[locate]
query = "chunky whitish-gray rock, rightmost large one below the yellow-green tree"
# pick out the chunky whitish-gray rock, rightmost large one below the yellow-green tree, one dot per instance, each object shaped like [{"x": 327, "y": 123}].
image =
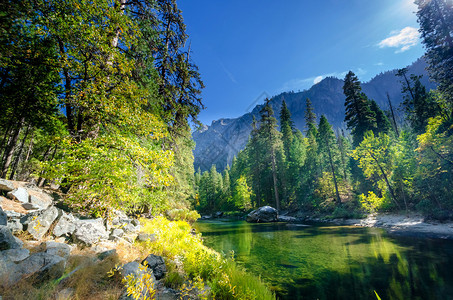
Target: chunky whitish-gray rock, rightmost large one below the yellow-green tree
[{"x": 90, "y": 232}]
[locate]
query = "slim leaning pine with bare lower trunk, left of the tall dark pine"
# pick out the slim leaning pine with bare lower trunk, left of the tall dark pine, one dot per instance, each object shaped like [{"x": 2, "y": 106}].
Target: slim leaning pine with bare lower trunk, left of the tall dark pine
[{"x": 328, "y": 148}]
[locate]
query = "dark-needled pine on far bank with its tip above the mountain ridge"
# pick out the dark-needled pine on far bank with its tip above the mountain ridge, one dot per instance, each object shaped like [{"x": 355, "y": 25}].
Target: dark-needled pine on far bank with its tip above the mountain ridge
[{"x": 359, "y": 117}]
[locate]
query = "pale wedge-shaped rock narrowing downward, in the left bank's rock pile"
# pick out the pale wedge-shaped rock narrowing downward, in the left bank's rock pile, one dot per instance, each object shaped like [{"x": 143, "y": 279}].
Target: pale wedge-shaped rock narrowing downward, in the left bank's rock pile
[{"x": 38, "y": 223}]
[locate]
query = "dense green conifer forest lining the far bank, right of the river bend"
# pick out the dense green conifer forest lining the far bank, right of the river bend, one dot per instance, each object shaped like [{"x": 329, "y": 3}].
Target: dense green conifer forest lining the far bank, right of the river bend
[{"x": 377, "y": 164}]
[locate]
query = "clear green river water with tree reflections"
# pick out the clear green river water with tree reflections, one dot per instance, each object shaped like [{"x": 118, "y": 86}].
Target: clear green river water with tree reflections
[{"x": 336, "y": 262}]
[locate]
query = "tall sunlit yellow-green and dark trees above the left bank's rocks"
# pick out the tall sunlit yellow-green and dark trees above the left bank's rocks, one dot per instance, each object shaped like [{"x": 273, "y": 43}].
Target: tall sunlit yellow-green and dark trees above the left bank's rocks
[{"x": 97, "y": 98}]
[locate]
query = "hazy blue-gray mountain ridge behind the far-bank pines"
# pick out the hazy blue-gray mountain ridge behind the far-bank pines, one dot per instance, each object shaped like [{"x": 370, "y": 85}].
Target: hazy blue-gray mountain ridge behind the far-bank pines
[{"x": 223, "y": 139}]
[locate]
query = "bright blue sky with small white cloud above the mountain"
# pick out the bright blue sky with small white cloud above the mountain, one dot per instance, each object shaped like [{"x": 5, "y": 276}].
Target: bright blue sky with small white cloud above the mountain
[{"x": 247, "y": 49}]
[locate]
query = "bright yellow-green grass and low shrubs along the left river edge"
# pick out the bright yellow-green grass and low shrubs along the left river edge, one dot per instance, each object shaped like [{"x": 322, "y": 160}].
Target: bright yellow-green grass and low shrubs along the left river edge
[{"x": 187, "y": 256}]
